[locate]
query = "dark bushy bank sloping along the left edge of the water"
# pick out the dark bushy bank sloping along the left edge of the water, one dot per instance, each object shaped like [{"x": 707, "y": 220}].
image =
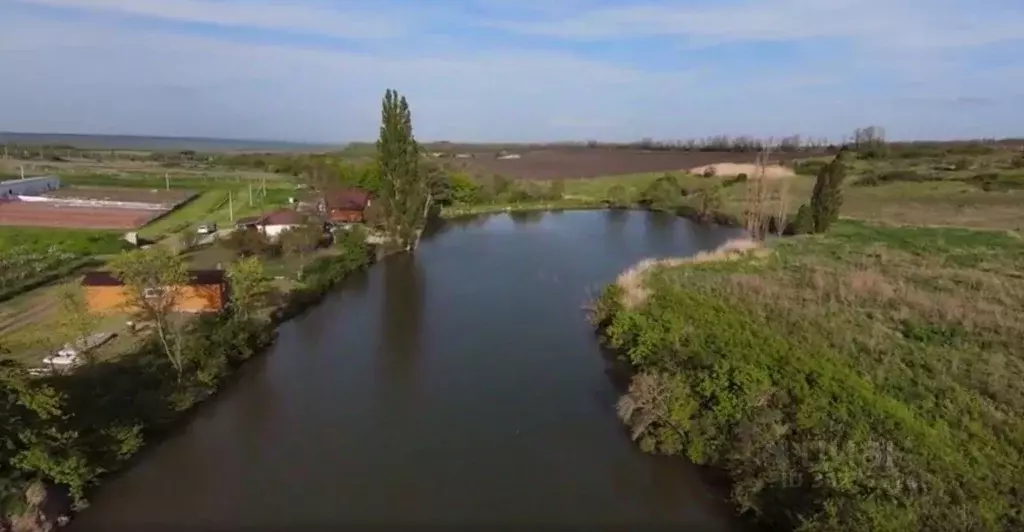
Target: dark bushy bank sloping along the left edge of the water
[{"x": 73, "y": 429}]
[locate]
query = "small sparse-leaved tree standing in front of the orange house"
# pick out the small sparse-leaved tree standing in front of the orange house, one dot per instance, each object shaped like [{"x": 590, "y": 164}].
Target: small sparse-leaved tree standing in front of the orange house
[{"x": 153, "y": 282}]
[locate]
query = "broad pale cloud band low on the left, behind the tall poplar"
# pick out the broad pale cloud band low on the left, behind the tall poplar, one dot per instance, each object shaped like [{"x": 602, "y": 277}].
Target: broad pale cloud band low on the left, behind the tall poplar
[{"x": 116, "y": 79}]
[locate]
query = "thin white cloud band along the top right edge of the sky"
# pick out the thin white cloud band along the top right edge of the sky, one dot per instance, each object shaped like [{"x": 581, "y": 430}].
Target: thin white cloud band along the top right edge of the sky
[{"x": 909, "y": 24}]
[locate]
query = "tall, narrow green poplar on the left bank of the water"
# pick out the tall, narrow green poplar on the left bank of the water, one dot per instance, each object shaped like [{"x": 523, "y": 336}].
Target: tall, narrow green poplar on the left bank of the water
[{"x": 405, "y": 194}]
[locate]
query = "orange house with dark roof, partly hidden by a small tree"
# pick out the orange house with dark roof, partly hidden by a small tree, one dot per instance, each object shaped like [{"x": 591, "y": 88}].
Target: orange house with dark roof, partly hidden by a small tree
[{"x": 205, "y": 292}]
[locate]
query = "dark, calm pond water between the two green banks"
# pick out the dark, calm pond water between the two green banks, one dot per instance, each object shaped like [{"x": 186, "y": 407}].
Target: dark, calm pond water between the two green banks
[{"x": 460, "y": 387}]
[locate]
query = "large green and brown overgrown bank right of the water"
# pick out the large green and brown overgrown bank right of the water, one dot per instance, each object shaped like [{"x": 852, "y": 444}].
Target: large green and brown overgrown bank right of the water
[{"x": 866, "y": 380}]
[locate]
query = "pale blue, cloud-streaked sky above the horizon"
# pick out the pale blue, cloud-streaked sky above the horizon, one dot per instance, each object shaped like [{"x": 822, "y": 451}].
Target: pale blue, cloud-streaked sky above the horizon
[{"x": 315, "y": 71}]
